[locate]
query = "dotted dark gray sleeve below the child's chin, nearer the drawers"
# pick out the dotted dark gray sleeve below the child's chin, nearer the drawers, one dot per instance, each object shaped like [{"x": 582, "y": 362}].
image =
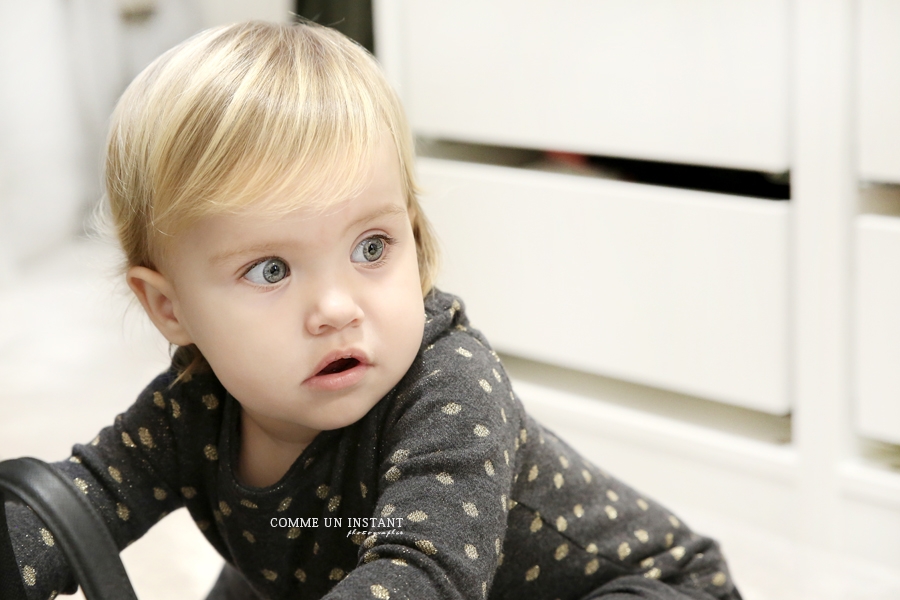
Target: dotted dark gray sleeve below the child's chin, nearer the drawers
[{"x": 446, "y": 470}]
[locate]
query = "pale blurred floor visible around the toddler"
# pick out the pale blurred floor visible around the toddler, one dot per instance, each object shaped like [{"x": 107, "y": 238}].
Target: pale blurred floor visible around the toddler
[{"x": 75, "y": 351}]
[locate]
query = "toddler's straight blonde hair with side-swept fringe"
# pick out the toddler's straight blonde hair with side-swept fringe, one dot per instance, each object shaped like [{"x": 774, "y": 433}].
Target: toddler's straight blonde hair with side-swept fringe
[{"x": 231, "y": 117}]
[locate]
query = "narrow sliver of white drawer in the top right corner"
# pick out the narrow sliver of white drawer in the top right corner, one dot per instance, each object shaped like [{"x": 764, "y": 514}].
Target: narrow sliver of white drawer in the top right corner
[{"x": 879, "y": 90}]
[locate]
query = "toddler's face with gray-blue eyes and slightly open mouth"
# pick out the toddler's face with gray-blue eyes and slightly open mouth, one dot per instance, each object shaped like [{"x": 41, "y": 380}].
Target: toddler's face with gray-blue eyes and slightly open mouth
[{"x": 310, "y": 319}]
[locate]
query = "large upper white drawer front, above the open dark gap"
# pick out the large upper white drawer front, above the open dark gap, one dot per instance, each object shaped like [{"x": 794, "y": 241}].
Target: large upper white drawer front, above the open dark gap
[{"x": 702, "y": 82}]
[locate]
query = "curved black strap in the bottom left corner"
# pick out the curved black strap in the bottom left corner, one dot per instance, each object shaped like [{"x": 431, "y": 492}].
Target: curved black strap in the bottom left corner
[{"x": 73, "y": 521}]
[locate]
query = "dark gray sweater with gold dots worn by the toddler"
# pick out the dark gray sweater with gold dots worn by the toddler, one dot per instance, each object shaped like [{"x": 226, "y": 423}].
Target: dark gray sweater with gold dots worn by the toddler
[{"x": 456, "y": 493}]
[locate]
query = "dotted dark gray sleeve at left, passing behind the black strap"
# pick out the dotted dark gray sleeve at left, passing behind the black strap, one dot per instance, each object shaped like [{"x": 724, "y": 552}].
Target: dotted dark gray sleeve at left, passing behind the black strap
[{"x": 129, "y": 473}]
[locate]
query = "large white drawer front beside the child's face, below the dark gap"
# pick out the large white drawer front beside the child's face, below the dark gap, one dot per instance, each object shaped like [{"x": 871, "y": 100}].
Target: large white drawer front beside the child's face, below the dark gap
[{"x": 670, "y": 288}]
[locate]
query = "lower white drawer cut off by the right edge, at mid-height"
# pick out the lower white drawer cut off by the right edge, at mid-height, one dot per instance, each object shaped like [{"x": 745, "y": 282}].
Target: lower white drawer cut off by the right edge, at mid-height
[{"x": 877, "y": 326}]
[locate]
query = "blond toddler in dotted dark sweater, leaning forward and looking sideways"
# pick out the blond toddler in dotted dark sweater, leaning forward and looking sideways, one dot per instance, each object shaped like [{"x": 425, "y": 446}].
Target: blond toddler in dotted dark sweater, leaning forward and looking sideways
[{"x": 332, "y": 422}]
